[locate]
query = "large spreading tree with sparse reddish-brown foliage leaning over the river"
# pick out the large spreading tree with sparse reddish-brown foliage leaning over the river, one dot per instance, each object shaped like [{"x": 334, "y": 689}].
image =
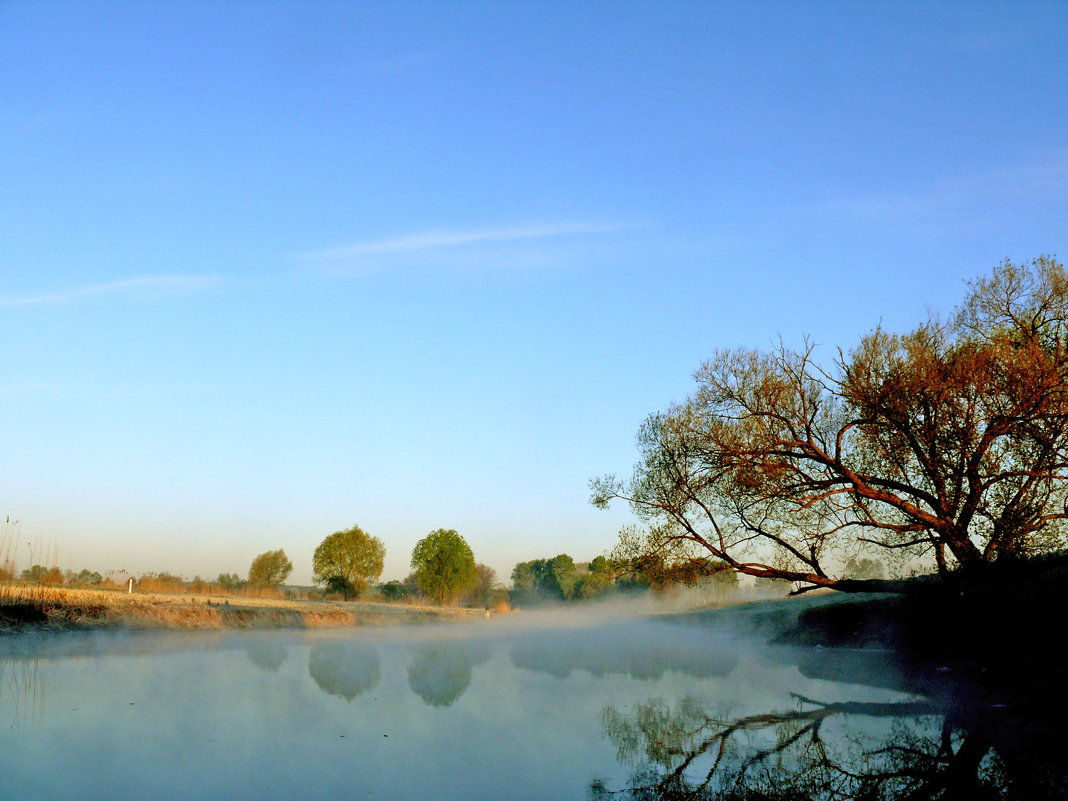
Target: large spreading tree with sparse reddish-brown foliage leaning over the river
[{"x": 950, "y": 442}]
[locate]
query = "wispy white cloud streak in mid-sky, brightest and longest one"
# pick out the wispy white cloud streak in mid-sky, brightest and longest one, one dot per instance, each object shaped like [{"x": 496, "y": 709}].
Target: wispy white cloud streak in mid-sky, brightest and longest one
[{"x": 444, "y": 240}]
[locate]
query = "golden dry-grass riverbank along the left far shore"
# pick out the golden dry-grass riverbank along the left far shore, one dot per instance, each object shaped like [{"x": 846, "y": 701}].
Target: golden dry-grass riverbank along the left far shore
[{"x": 26, "y": 608}]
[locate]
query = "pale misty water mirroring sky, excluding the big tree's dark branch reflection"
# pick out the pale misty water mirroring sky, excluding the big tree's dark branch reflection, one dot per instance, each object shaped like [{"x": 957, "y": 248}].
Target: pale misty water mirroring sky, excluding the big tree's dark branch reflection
[{"x": 444, "y": 713}]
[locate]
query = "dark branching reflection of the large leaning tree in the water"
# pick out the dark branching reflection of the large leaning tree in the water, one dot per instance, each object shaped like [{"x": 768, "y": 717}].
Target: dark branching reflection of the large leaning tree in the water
[{"x": 920, "y": 752}]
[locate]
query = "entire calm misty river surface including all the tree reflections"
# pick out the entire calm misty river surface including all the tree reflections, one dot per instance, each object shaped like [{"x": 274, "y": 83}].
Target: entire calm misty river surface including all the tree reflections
[{"x": 501, "y": 710}]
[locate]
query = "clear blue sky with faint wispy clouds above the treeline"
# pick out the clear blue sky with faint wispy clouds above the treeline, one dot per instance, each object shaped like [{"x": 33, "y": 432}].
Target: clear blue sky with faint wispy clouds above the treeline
[{"x": 272, "y": 270}]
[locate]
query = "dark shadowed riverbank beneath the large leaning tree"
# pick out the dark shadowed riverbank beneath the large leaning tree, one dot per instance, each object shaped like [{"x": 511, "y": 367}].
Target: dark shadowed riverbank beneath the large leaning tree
[{"x": 996, "y": 630}]
